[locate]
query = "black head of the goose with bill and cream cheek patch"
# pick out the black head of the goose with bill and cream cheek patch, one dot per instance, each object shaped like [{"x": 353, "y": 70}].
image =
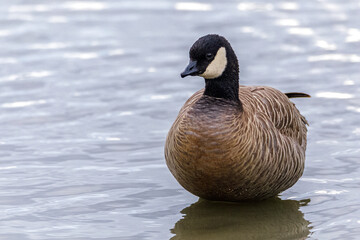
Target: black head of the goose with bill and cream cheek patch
[{"x": 211, "y": 56}]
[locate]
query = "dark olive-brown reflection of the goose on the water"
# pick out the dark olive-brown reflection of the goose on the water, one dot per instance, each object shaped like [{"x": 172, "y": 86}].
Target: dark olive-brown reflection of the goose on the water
[{"x": 270, "y": 219}]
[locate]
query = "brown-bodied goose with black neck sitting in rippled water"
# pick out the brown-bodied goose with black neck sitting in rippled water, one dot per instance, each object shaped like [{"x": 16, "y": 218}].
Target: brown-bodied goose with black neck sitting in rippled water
[{"x": 231, "y": 142}]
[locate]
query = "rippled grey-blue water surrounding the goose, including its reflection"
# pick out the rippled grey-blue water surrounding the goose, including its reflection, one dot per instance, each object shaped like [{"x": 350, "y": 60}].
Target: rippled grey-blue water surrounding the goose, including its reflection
[{"x": 88, "y": 91}]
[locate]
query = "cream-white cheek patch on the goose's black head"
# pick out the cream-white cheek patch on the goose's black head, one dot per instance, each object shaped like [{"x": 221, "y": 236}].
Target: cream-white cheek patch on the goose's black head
[{"x": 217, "y": 66}]
